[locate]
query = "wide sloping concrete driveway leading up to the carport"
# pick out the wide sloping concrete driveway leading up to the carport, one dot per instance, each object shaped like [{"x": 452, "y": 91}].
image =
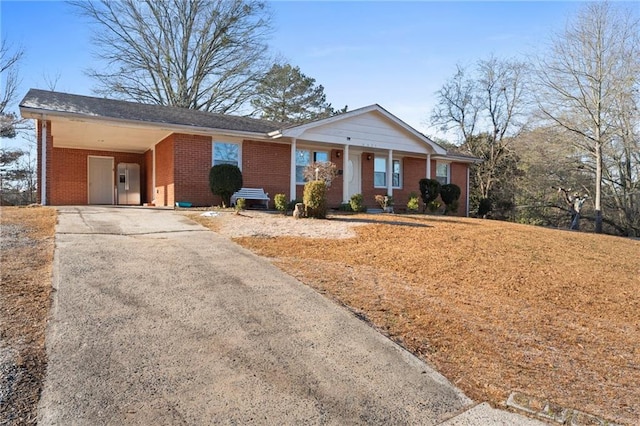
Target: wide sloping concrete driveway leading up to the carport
[{"x": 157, "y": 320}]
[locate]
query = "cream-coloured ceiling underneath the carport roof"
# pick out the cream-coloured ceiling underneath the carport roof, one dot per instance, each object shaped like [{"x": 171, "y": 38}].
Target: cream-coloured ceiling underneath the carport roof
[{"x": 103, "y": 136}]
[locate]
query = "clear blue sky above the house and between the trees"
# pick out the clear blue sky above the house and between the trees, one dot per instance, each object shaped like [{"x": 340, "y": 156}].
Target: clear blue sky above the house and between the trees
[{"x": 396, "y": 54}]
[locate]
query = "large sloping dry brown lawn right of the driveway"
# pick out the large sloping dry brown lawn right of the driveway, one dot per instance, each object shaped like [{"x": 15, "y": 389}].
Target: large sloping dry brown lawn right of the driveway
[{"x": 496, "y": 307}]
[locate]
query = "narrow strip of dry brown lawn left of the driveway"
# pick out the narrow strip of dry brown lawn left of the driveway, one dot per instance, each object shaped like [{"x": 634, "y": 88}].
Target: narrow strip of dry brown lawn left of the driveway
[{"x": 26, "y": 250}]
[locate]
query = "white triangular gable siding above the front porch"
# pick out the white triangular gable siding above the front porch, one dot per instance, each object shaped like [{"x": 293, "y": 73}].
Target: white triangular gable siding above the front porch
[{"x": 370, "y": 130}]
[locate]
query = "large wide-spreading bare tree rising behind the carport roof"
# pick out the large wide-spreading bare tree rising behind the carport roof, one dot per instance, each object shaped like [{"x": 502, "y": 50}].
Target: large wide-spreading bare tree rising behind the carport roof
[{"x": 200, "y": 54}]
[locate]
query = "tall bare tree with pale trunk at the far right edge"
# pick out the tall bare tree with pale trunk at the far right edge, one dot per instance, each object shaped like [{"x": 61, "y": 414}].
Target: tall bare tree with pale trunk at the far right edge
[{"x": 586, "y": 84}]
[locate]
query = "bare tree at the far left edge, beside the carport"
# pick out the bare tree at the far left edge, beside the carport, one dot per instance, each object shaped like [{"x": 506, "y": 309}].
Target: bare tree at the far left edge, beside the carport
[{"x": 9, "y": 61}]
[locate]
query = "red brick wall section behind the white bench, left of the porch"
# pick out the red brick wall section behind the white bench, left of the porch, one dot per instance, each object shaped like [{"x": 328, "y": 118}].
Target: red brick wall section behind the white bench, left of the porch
[{"x": 266, "y": 165}]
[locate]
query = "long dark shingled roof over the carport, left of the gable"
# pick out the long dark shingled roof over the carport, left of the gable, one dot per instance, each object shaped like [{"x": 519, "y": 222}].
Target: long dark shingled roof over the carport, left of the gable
[{"x": 38, "y": 102}]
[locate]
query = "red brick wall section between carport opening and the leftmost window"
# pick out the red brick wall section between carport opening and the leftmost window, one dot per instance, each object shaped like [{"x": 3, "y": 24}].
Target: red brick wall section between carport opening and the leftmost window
[{"x": 192, "y": 156}]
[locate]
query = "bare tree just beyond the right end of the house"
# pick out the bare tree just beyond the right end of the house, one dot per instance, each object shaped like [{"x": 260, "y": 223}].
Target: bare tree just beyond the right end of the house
[{"x": 483, "y": 106}]
